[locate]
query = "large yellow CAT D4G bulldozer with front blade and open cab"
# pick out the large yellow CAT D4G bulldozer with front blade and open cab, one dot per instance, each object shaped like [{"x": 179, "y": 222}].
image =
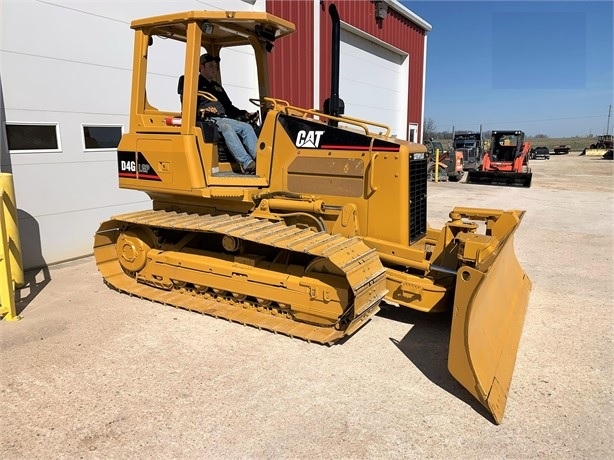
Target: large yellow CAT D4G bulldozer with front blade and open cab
[{"x": 332, "y": 223}]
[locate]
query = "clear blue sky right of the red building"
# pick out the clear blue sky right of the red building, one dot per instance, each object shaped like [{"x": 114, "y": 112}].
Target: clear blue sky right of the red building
[{"x": 543, "y": 67}]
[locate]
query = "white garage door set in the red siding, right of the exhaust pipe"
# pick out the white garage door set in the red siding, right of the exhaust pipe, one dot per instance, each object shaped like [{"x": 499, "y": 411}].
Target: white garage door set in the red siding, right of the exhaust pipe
[{"x": 373, "y": 79}]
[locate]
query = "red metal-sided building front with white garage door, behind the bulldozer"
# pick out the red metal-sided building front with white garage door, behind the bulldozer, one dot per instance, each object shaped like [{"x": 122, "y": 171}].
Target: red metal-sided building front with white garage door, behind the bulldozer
[{"x": 383, "y": 55}]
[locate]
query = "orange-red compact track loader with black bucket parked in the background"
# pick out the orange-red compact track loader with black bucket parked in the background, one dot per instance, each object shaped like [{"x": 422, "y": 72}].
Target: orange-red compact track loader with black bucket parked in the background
[{"x": 506, "y": 163}]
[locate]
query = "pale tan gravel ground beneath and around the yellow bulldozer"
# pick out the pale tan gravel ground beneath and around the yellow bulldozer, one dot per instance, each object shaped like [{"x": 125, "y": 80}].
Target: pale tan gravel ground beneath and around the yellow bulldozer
[{"x": 91, "y": 373}]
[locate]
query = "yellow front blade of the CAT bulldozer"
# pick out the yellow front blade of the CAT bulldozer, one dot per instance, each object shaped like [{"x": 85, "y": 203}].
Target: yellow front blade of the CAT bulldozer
[{"x": 489, "y": 309}]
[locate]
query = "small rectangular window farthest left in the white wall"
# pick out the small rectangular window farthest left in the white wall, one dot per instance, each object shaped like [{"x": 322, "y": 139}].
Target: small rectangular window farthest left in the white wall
[{"x": 33, "y": 137}]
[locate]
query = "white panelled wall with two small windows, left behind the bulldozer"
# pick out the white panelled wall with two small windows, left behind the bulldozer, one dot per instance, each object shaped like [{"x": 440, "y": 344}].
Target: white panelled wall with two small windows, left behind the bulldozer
[{"x": 69, "y": 62}]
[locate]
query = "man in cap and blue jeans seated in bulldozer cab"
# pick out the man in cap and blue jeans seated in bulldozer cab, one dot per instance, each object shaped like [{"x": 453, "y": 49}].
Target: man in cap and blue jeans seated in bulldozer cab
[{"x": 239, "y": 135}]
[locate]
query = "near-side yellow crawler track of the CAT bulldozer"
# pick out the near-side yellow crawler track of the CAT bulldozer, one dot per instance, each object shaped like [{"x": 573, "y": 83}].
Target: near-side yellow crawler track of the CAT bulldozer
[{"x": 332, "y": 297}]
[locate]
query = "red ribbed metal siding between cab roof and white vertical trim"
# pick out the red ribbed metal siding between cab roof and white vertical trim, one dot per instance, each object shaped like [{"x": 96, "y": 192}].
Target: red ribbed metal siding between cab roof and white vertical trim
[{"x": 291, "y": 62}]
